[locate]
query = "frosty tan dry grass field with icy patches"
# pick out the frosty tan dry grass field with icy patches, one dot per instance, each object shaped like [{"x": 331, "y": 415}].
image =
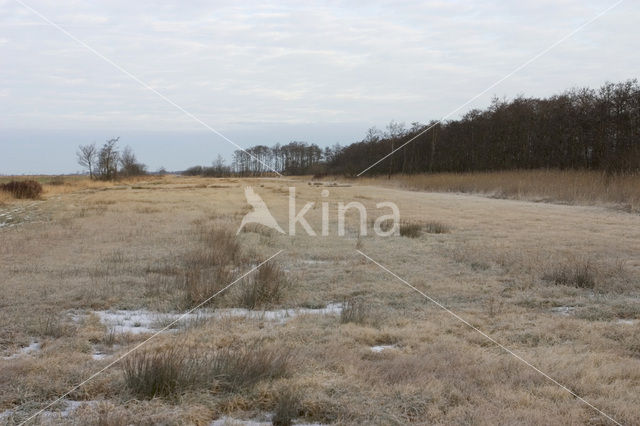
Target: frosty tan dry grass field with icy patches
[{"x": 318, "y": 334}]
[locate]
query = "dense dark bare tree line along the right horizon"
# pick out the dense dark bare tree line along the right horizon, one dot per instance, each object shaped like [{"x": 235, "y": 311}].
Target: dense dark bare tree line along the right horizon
[{"x": 578, "y": 129}]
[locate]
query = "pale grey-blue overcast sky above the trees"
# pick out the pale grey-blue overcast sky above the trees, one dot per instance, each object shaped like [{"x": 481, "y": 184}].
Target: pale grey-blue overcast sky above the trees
[{"x": 322, "y": 72}]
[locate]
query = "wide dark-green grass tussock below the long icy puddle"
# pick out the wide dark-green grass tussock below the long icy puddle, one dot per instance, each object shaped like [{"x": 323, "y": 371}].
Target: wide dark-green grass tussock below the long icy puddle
[{"x": 169, "y": 372}]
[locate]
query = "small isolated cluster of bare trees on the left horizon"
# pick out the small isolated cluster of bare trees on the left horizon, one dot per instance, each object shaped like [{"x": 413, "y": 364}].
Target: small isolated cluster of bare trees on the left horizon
[{"x": 108, "y": 162}]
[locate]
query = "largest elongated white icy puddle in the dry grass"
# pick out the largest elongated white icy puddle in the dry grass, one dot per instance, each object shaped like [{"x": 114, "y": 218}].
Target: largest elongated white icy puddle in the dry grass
[{"x": 144, "y": 321}]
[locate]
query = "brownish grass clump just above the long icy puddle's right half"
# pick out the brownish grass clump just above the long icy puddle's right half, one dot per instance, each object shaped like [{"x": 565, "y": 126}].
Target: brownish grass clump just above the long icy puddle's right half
[{"x": 266, "y": 287}]
